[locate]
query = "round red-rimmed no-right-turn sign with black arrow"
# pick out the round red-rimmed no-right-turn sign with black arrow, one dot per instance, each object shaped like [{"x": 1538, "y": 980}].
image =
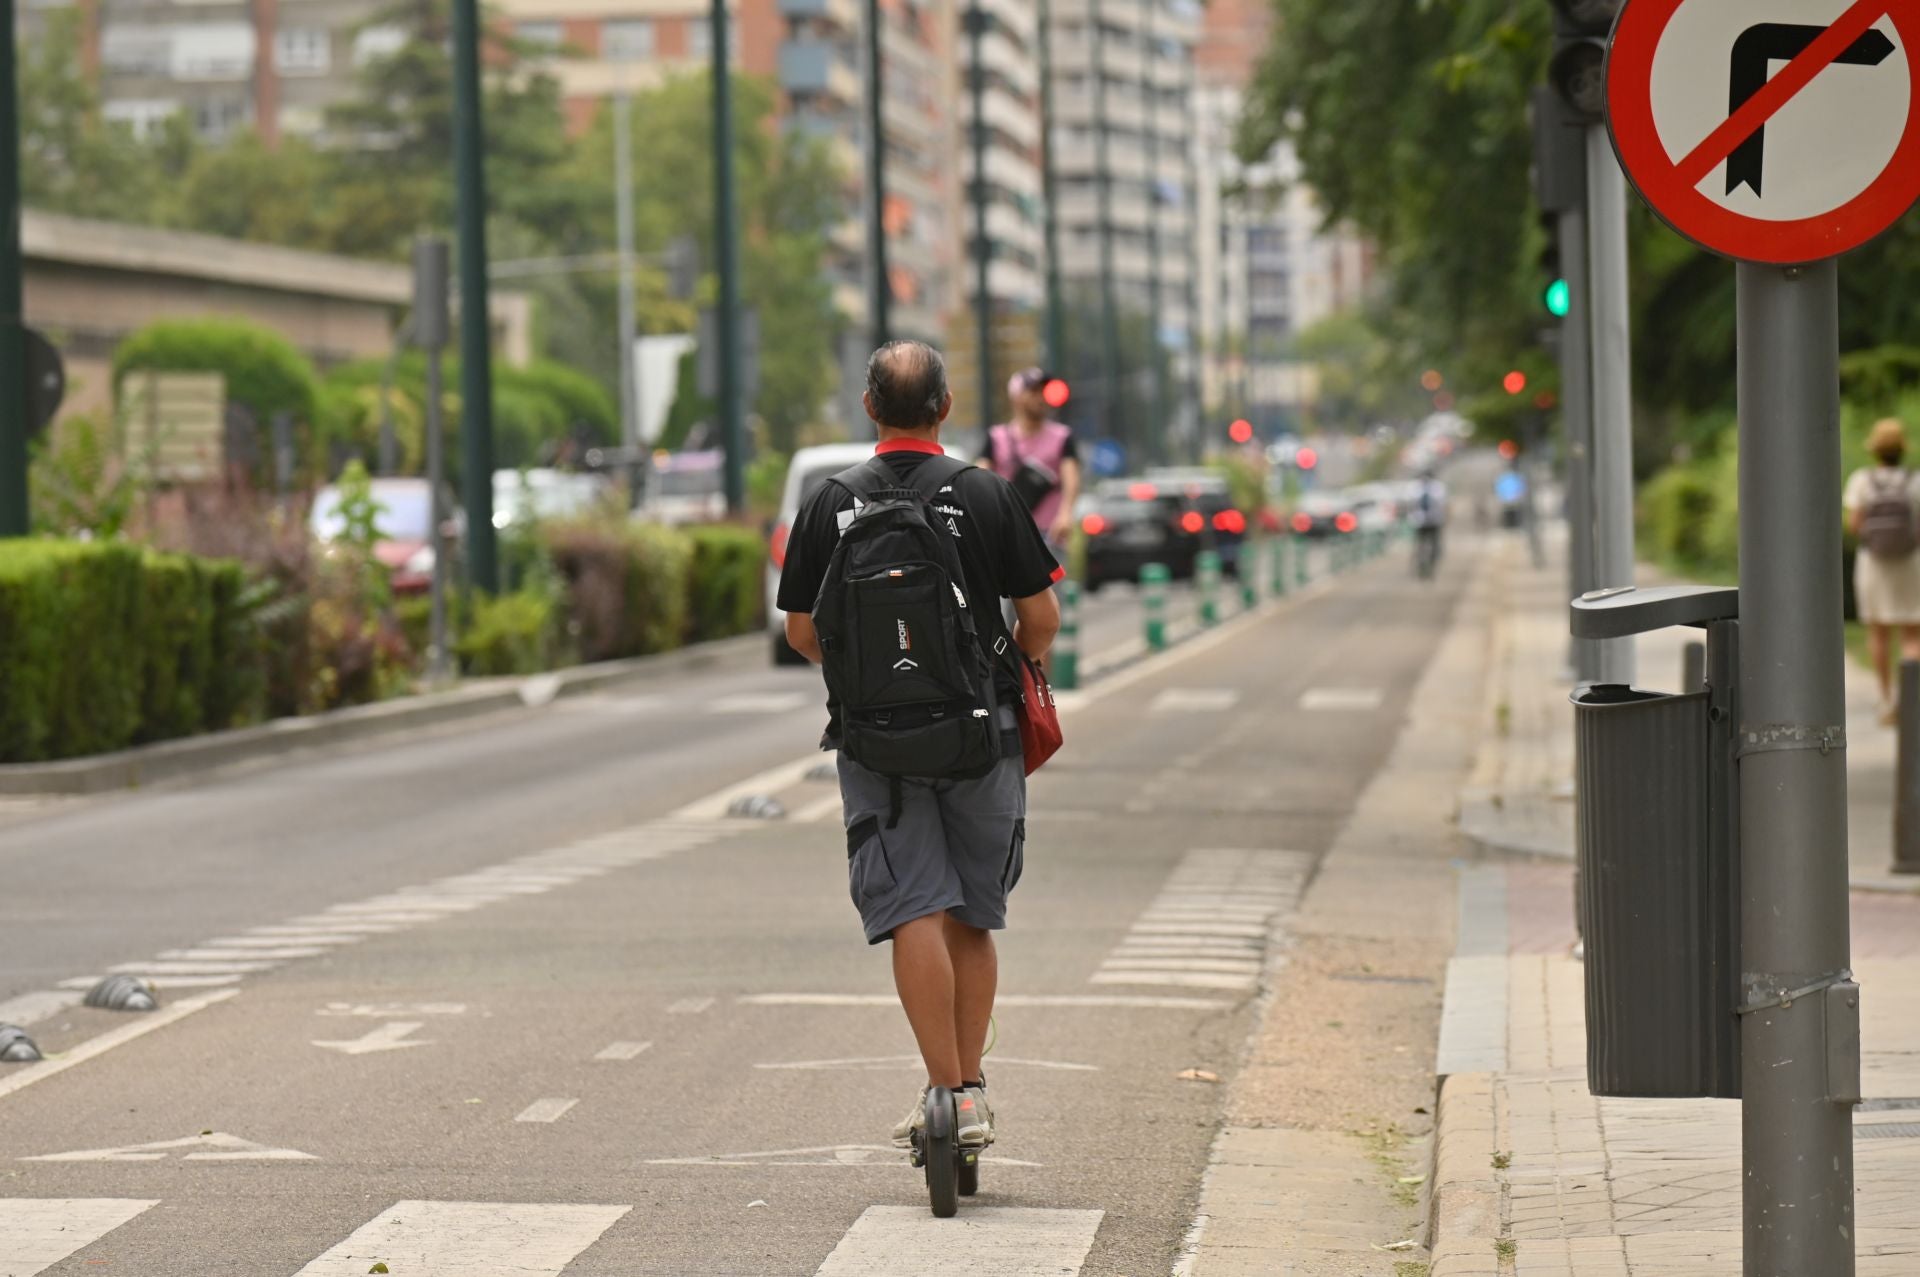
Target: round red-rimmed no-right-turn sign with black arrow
[{"x": 1769, "y": 130}]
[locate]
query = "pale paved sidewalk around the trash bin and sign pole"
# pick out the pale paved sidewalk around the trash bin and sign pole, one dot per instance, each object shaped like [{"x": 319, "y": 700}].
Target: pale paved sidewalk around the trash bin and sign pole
[{"x": 1537, "y": 1178}]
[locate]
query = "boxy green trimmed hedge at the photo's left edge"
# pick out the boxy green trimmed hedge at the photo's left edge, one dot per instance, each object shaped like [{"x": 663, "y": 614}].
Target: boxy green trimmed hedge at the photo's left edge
[{"x": 105, "y": 646}]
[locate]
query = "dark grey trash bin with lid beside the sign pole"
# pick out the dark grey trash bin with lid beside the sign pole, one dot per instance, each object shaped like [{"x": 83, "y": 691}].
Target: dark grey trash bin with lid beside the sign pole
[{"x": 1658, "y": 850}]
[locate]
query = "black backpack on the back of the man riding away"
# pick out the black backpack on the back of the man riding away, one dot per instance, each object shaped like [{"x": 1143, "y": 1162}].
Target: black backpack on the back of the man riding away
[{"x": 900, "y": 637}]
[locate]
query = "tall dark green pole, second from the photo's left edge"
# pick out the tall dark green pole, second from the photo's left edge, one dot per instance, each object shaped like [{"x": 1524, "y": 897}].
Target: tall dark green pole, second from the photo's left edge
[{"x": 477, "y": 337}]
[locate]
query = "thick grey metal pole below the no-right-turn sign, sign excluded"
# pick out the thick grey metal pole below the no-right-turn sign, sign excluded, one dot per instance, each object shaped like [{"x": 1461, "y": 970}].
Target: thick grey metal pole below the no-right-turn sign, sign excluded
[{"x": 1800, "y": 1026}]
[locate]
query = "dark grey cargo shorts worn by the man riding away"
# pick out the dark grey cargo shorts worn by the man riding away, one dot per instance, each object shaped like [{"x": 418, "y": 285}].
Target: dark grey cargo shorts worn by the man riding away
[{"x": 957, "y": 848}]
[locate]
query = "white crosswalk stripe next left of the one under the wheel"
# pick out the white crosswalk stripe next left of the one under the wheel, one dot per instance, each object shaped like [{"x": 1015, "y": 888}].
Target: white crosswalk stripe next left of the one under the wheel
[{"x": 469, "y": 1240}]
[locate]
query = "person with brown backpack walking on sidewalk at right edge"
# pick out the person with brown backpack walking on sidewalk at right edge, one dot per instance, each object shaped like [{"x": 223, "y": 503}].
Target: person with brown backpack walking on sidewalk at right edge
[{"x": 1883, "y": 506}]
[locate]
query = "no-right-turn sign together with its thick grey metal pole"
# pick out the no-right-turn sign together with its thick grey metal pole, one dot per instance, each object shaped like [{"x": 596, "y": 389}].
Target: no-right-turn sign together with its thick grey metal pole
[{"x": 1785, "y": 147}]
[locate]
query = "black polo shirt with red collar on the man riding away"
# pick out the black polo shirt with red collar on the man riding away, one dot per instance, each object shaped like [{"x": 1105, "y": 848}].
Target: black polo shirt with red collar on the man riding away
[{"x": 1001, "y": 550}]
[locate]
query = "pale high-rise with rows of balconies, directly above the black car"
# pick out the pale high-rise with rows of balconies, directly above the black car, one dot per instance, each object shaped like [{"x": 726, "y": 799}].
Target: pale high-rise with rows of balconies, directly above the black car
[{"x": 1122, "y": 99}]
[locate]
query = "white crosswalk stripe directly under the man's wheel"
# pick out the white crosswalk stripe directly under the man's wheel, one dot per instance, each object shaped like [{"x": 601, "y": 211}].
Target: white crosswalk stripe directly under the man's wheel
[{"x": 988, "y": 1241}]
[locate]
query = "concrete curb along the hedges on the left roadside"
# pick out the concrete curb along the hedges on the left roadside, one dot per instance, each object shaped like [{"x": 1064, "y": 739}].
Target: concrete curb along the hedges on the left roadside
[{"x": 197, "y": 756}]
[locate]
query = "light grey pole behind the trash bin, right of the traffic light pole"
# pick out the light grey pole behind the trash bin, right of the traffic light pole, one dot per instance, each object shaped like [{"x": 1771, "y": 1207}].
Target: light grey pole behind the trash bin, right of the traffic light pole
[{"x": 1612, "y": 391}]
